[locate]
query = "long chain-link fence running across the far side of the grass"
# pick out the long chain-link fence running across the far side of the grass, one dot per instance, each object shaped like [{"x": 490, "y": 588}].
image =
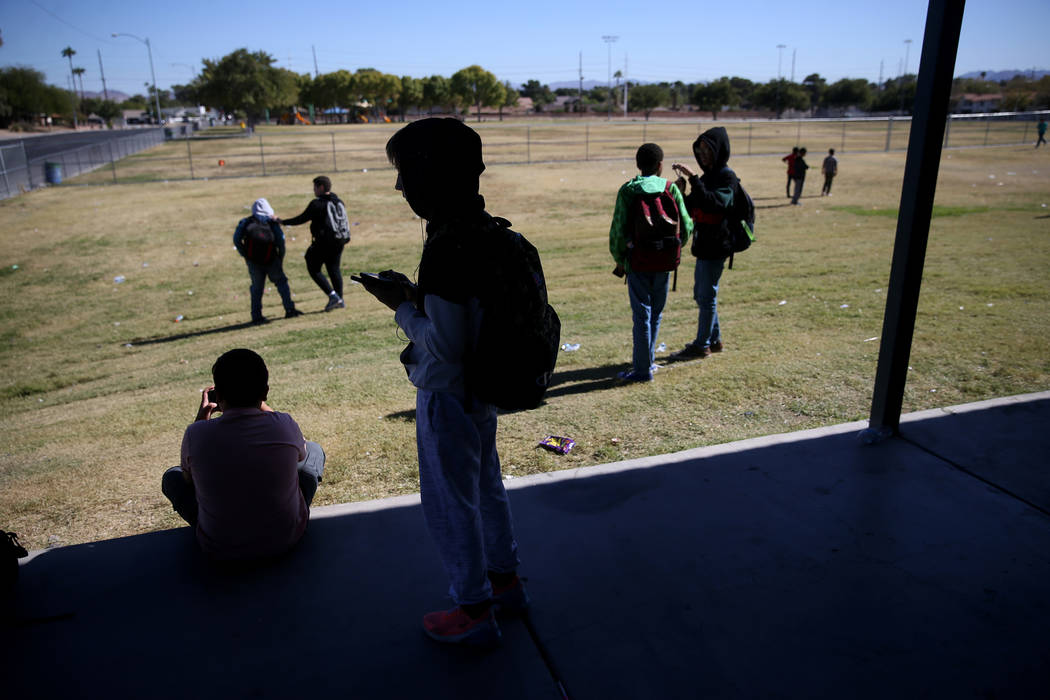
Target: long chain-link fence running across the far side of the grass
[{"x": 148, "y": 157}]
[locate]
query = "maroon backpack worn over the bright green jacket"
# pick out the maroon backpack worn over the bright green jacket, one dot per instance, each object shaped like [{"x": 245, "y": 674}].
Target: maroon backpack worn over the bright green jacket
[{"x": 656, "y": 232}]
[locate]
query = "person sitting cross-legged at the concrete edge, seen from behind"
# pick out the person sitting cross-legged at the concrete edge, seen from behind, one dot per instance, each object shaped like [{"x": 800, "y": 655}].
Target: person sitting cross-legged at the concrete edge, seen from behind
[{"x": 247, "y": 478}]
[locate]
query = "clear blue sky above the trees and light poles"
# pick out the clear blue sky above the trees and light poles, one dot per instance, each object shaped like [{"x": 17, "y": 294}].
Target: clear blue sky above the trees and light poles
[{"x": 541, "y": 39}]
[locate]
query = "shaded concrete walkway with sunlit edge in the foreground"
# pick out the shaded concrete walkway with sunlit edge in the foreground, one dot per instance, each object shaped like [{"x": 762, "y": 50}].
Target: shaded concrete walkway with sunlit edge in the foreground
[{"x": 796, "y": 566}]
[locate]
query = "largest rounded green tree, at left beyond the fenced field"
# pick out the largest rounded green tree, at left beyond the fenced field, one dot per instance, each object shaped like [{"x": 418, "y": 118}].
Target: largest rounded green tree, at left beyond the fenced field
[{"x": 247, "y": 82}]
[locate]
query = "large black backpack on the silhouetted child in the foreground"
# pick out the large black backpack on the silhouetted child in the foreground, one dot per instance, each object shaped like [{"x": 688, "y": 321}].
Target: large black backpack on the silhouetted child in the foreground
[{"x": 514, "y": 360}]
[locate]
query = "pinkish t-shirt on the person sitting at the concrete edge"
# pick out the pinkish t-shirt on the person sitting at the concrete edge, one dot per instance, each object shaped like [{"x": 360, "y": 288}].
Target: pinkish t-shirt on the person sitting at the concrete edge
[{"x": 244, "y": 466}]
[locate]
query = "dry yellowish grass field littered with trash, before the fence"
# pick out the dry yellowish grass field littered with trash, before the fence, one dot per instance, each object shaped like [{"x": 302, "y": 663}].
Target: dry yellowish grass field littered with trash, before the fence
[{"x": 98, "y": 380}]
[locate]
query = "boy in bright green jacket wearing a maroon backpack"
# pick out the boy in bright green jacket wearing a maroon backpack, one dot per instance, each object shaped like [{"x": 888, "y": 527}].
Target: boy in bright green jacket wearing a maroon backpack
[{"x": 650, "y": 224}]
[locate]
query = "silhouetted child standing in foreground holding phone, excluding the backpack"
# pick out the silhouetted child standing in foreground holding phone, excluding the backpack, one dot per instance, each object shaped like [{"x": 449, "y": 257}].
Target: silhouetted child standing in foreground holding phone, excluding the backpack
[{"x": 465, "y": 503}]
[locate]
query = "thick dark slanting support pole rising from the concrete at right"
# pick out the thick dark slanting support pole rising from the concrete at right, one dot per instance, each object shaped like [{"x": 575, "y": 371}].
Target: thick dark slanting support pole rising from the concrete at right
[{"x": 937, "y": 68}]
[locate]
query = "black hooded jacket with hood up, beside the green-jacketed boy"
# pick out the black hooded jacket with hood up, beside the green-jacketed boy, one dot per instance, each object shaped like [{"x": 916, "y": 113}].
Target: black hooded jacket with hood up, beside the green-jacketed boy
[{"x": 711, "y": 198}]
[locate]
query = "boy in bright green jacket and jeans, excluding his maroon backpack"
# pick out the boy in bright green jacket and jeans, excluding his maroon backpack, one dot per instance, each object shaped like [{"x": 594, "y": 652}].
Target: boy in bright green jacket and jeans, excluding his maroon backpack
[{"x": 646, "y": 291}]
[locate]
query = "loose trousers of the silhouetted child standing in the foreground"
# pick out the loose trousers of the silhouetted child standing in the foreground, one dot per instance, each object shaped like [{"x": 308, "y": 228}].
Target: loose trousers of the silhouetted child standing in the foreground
[{"x": 465, "y": 504}]
